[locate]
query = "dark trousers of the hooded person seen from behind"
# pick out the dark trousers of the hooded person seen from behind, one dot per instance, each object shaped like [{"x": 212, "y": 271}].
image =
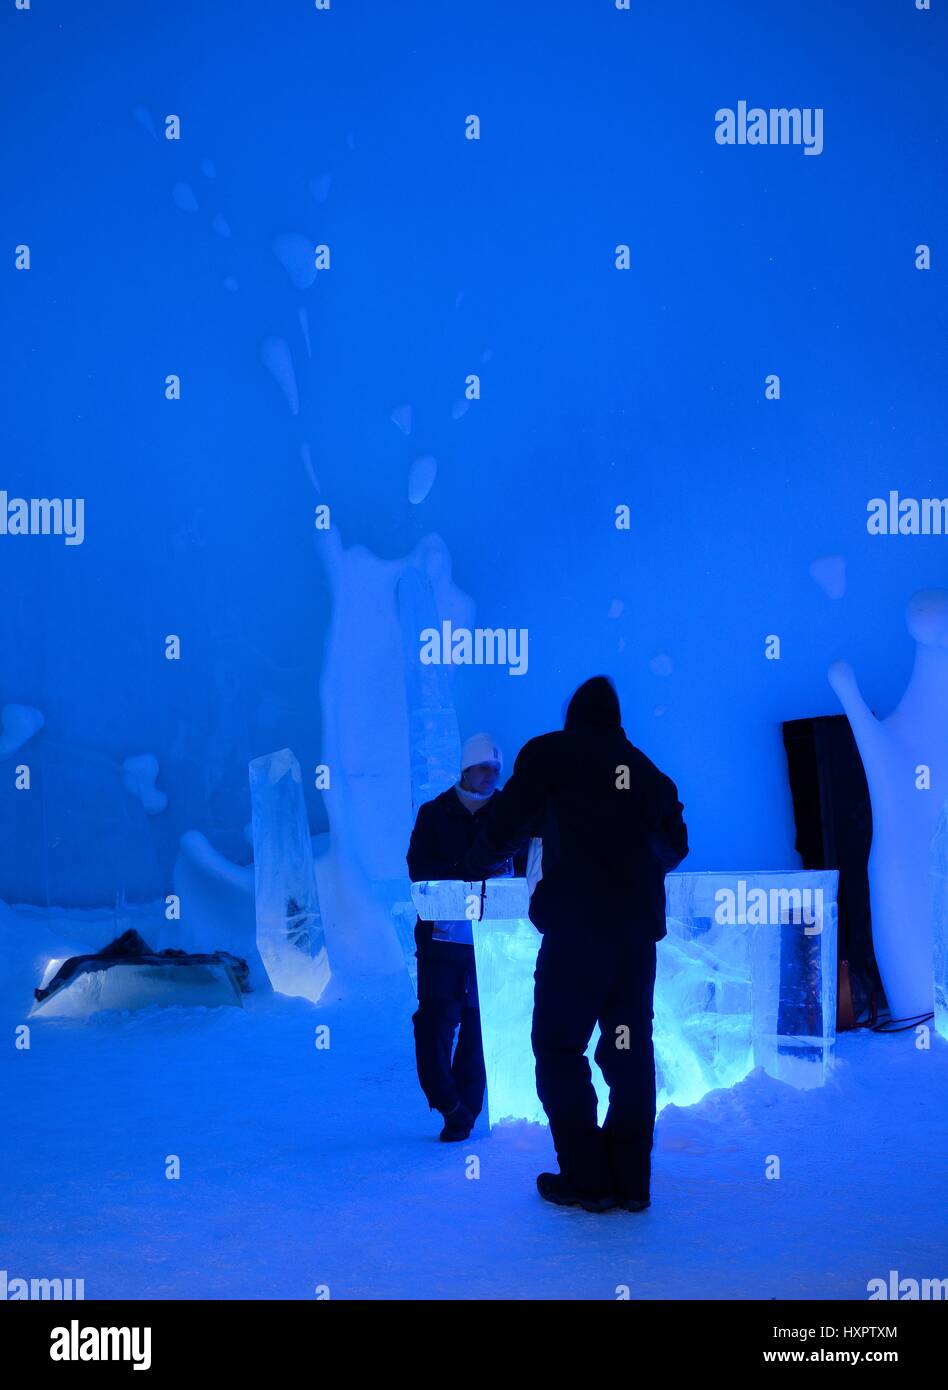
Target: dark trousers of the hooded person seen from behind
[{"x": 610, "y": 981}]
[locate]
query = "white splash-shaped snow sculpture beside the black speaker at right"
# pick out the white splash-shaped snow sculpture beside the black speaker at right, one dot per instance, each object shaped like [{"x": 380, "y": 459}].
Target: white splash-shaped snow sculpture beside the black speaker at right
[{"x": 907, "y": 767}]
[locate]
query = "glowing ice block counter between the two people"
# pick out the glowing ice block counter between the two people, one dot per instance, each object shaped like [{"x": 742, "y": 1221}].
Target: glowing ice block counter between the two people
[{"x": 746, "y": 978}]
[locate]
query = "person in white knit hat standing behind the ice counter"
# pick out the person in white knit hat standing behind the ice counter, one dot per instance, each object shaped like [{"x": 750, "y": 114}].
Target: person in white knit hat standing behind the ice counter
[{"x": 444, "y": 832}]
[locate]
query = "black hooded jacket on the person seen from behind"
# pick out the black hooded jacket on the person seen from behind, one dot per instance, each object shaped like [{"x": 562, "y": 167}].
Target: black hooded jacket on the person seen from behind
[{"x": 610, "y": 821}]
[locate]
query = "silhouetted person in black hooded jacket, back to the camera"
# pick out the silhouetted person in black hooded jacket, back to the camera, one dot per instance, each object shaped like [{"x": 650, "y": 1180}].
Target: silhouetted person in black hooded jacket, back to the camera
[{"x": 611, "y": 825}]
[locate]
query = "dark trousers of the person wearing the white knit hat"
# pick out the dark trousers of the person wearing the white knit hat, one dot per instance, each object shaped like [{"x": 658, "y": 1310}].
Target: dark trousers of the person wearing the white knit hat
[{"x": 448, "y": 1006}]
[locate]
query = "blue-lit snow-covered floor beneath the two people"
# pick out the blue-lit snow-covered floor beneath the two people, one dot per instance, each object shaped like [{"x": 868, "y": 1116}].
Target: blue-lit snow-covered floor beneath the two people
[{"x": 305, "y": 1168}]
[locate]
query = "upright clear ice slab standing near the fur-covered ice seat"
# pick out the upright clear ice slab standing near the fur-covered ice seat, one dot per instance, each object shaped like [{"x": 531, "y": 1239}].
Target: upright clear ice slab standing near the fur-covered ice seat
[{"x": 290, "y": 925}]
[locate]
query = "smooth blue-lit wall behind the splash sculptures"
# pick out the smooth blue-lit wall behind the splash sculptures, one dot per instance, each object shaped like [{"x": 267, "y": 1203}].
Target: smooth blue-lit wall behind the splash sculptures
[{"x": 454, "y": 256}]
